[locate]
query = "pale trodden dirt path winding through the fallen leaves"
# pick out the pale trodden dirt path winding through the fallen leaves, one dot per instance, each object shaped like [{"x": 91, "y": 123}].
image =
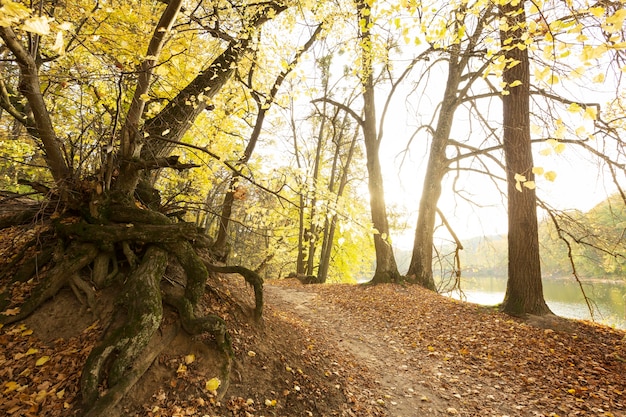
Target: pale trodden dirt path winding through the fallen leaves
[{"x": 406, "y": 387}]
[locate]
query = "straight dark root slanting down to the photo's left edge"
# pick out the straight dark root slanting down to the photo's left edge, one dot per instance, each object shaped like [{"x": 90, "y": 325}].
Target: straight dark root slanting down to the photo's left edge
[{"x": 77, "y": 256}]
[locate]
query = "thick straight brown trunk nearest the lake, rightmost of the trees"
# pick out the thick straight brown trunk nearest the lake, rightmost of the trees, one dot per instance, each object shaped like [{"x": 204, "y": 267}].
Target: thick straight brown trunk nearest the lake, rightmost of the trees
[{"x": 524, "y": 291}]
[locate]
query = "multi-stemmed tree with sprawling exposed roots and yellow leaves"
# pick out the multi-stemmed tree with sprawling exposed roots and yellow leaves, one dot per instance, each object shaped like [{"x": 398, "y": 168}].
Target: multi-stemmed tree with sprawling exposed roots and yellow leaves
[{"x": 97, "y": 221}]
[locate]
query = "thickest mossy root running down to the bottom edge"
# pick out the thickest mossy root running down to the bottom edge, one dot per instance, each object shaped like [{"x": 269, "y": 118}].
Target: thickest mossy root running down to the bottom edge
[{"x": 124, "y": 344}]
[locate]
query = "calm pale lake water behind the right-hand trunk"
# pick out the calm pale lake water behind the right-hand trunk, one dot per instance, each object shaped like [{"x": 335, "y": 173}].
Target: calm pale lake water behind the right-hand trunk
[{"x": 562, "y": 295}]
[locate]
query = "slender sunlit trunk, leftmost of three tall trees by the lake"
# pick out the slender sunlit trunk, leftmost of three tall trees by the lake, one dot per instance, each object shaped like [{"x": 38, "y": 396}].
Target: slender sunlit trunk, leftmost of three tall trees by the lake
[{"x": 386, "y": 267}]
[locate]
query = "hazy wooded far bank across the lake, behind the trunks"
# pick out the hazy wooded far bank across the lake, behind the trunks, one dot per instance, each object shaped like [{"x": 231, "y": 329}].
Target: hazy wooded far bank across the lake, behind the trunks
[{"x": 597, "y": 239}]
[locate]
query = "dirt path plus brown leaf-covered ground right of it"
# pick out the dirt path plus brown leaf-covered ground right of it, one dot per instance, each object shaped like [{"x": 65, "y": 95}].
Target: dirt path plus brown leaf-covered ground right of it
[{"x": 436, "y": 356}]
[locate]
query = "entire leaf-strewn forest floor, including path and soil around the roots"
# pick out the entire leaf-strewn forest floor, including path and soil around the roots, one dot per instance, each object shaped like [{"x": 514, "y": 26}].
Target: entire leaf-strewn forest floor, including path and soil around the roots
[{"x": 336, "y": 350}]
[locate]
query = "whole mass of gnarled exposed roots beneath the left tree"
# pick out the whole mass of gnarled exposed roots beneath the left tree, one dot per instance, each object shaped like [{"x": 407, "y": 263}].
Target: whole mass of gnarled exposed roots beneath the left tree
[{"x": 132, "y": 343}]
